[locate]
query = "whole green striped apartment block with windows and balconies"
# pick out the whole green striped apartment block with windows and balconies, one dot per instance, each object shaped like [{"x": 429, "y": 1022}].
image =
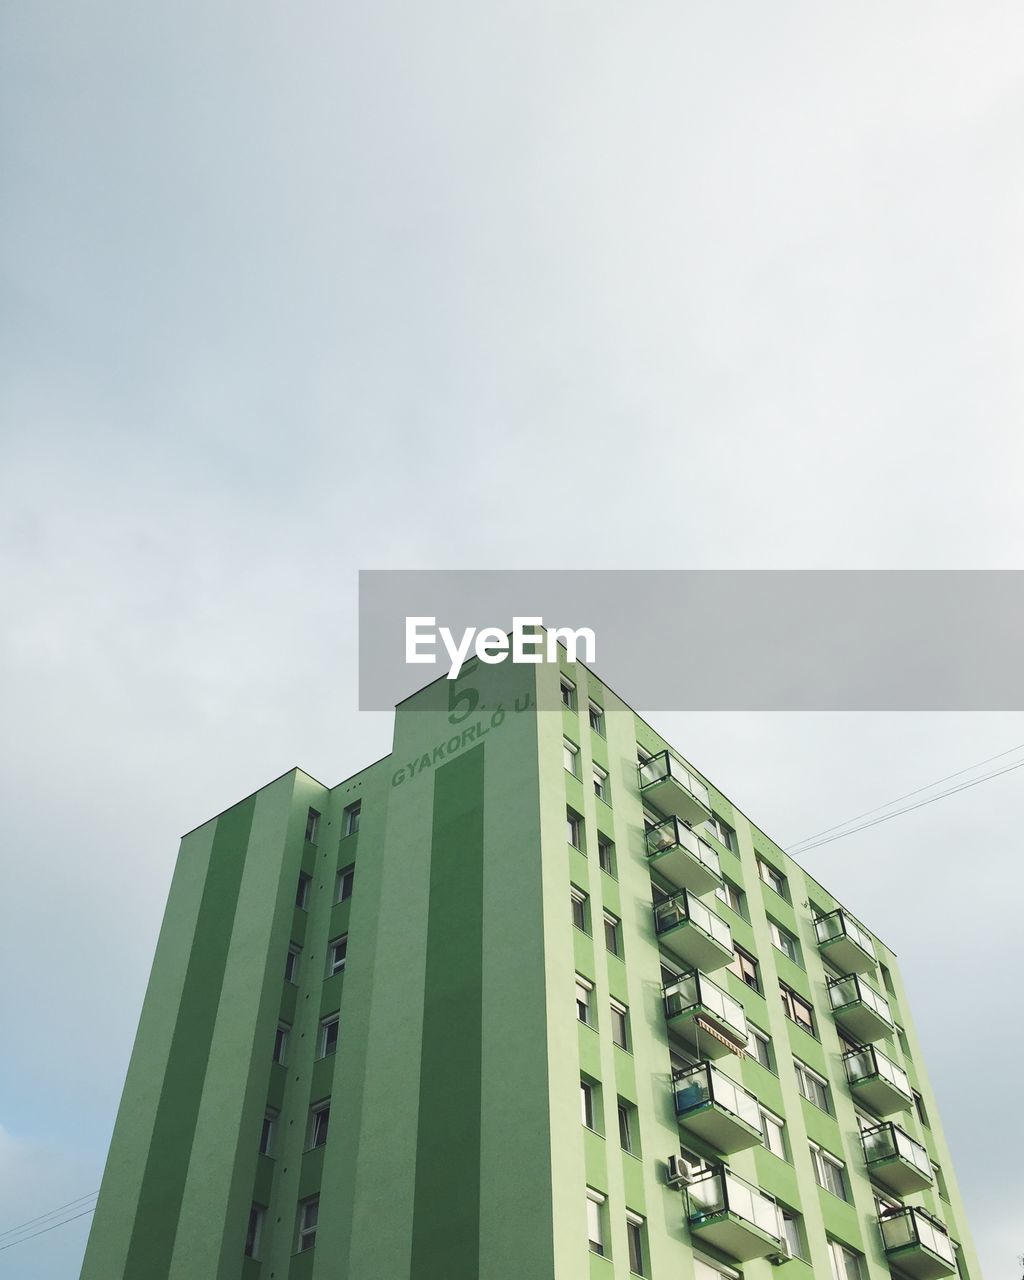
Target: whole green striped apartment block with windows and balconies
[{"x": 527, "y": 1000}]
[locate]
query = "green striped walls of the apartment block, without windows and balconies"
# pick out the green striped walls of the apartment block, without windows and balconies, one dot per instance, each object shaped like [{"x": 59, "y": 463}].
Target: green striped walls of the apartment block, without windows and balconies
[{"x": 456, "y": 1148}]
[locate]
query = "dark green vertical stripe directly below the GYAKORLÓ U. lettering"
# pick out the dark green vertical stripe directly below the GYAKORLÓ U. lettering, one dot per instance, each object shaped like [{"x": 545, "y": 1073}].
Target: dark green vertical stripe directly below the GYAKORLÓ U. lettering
[{"x": 446, "y": 1224}]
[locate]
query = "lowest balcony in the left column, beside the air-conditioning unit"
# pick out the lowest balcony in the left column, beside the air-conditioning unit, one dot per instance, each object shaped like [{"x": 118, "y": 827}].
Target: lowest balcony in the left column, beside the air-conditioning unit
[{"x": 733, "y": 1217}]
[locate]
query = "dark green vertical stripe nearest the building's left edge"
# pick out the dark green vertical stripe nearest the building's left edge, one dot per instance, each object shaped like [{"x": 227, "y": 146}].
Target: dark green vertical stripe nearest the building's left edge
[{"x": 167, "y": 1165}]
